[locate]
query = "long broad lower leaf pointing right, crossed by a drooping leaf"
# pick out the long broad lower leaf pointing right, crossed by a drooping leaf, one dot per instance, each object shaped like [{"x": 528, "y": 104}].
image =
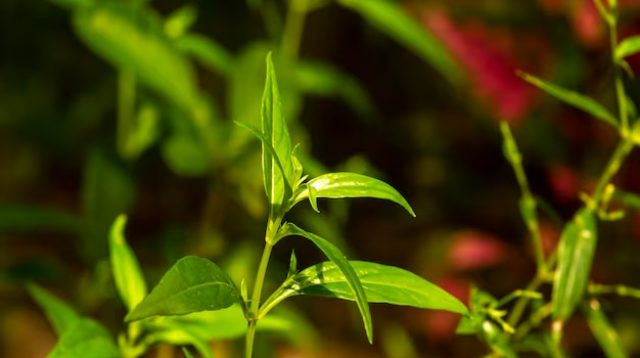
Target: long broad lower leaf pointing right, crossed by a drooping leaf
[{"x": 381, "y": 284}]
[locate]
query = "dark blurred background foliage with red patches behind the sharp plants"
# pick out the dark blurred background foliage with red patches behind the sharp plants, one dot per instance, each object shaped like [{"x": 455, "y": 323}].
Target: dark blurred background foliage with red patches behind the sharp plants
[{"x": 129, "y": 107}]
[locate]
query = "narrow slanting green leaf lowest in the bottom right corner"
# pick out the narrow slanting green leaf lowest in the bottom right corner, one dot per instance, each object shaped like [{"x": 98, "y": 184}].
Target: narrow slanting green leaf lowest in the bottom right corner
[{"x": 606, "y": 335}]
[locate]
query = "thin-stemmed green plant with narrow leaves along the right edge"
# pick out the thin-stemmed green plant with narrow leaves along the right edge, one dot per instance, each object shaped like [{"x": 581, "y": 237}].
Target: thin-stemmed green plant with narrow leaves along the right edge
[{"x": 516, "y": 323}]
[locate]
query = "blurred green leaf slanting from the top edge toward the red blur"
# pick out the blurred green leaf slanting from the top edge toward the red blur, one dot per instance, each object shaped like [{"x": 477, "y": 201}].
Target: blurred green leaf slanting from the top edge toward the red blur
[{"x": 389, "y": 17}]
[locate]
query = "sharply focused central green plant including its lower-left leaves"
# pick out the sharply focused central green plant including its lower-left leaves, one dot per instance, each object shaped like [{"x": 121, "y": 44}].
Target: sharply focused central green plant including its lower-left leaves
[{"x": 196, "y": 301}]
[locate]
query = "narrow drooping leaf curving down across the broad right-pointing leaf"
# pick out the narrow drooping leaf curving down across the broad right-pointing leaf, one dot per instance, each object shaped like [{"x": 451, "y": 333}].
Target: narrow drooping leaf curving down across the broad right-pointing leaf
[{"x": 337, "y": 257}]
